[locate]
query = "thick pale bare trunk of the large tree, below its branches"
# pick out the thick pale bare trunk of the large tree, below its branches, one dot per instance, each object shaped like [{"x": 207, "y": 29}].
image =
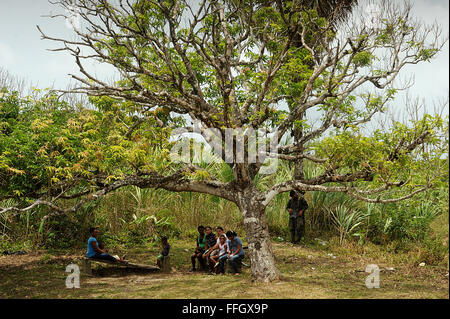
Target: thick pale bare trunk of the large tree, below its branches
[{"x": 259, "y": 244}]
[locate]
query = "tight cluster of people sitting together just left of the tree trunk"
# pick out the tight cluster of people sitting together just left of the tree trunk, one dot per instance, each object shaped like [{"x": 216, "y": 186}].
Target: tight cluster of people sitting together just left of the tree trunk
[{"x": 214, "y": 251}]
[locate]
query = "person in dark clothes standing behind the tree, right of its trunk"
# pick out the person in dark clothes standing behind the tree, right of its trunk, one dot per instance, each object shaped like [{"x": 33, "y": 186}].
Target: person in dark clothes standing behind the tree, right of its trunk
[{"x": 296, "y": 207}]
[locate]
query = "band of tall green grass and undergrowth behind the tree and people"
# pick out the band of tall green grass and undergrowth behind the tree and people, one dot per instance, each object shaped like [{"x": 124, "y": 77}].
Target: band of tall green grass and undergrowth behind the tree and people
[{"x": 135, "y": 215}]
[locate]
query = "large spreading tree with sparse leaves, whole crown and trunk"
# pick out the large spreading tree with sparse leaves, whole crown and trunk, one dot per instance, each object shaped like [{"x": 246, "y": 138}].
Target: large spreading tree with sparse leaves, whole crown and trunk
[{"x": 237, "y": 64}]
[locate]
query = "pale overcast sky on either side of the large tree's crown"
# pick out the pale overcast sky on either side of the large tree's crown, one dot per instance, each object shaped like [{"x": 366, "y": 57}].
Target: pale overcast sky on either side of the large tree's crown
[{"x": 24, "y": 54}]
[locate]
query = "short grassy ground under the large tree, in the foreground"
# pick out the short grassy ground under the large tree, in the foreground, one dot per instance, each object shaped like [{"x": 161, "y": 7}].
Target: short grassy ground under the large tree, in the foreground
[{"x": 310, "y": 271}]
